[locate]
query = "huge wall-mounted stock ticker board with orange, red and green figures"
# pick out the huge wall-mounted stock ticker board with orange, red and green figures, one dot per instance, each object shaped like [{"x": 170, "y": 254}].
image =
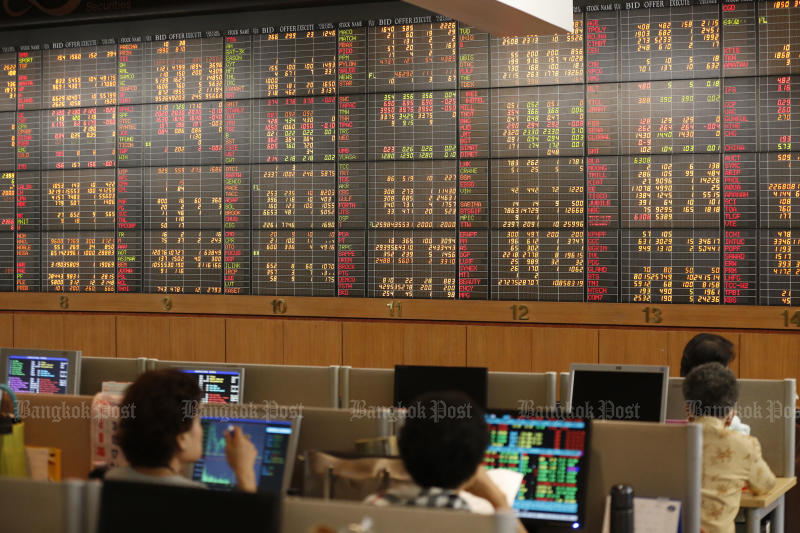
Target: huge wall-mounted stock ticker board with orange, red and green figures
[{"x": 645, "y": 157}]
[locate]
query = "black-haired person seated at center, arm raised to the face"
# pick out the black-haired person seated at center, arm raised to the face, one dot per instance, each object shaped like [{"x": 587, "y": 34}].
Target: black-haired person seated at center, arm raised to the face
[{"x": 444, "y": 455}]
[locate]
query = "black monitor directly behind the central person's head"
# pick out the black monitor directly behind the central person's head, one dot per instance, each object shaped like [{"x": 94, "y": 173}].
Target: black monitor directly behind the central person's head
[{"x": 412, "y": 380}]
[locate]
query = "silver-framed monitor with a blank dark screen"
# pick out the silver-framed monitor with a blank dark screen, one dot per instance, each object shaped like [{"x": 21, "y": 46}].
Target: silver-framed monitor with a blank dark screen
[{"x": 619, "y": 392}]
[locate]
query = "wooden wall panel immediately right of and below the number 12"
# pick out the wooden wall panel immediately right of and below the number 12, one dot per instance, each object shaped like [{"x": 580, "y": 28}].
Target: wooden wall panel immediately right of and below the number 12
[{"x": 554, "y": 349}]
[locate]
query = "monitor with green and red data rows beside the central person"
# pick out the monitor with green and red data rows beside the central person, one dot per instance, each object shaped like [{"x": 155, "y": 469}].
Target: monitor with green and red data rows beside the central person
[{"x": 551, "y": 452}]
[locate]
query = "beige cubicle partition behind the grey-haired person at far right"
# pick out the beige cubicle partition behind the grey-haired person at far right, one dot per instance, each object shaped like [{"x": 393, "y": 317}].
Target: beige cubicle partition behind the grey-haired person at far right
[{"x": 768, "y": 407}]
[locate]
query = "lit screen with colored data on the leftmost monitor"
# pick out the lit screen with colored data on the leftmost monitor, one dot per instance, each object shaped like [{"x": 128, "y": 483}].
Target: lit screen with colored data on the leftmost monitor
[{"x": 38, "y": 374}]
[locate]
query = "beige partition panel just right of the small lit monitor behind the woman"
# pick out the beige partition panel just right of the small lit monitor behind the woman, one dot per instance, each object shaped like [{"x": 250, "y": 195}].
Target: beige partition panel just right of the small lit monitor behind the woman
[{"x": 312, "y": 386}]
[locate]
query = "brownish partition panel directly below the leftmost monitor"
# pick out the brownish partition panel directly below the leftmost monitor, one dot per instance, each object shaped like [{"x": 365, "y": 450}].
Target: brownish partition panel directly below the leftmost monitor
[{"x": 60, "y": 421}]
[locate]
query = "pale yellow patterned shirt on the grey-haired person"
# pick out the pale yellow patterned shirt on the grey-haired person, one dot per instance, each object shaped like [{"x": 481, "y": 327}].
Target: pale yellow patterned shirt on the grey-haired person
[{"x": 729, "y": 460}]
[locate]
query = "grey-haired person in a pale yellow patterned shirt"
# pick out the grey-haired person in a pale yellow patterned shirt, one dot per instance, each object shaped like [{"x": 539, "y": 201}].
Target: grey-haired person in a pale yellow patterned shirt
[{"x": 729, "y": 458}]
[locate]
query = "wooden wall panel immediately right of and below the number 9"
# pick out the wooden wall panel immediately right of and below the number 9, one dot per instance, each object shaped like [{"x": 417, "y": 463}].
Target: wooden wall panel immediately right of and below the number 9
[{"x": 197, "y": 339}]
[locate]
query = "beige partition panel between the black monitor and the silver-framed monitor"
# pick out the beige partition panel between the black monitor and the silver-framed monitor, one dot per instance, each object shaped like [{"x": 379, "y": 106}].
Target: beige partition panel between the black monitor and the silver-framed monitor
[{"x": 516, "y": 390}]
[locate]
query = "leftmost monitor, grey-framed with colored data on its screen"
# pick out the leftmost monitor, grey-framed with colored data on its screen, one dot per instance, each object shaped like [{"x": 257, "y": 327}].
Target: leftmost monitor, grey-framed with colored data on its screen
[{"x": 41, "y": 371}]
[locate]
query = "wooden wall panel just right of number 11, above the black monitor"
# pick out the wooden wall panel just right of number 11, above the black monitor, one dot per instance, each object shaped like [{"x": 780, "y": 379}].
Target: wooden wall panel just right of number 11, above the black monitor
[{"x": 435, "y": 344}]
